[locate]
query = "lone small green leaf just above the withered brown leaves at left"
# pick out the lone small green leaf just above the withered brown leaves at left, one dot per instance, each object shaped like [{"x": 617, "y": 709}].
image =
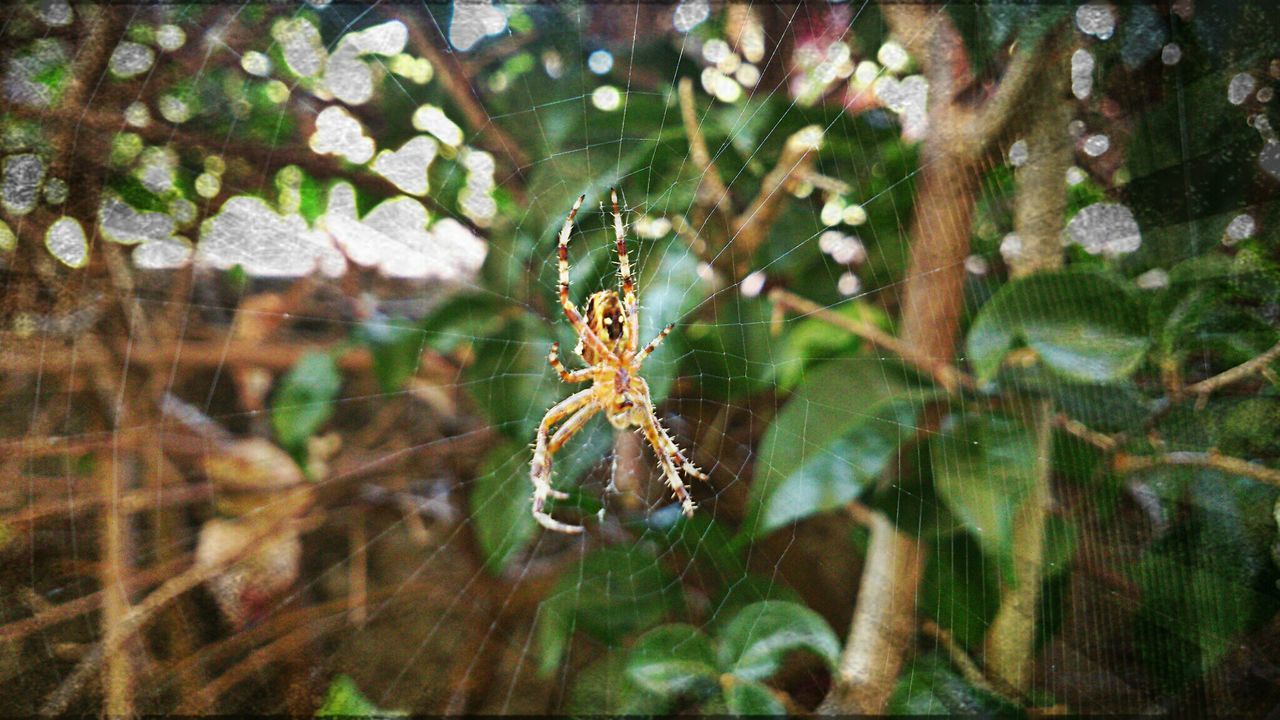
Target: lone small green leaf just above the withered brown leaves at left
[{"x": 304, "y": 402}]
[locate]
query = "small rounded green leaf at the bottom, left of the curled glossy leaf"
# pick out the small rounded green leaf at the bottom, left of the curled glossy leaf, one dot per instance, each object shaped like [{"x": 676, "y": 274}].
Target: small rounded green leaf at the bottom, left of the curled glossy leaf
[{"x": 674, "y": 660}]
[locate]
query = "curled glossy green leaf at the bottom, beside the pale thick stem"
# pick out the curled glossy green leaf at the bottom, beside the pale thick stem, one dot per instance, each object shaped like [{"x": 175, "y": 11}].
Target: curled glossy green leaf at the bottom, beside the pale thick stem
[{"x": 756, "y": 642}]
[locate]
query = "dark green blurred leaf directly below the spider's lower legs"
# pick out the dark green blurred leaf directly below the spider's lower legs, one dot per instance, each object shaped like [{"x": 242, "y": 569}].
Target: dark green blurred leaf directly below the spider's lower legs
[{"x": 614, "y": 593}]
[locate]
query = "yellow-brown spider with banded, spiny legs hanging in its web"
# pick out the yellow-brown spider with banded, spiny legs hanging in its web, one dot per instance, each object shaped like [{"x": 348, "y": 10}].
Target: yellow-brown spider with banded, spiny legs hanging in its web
[{"x": 607, "y": 330}]
